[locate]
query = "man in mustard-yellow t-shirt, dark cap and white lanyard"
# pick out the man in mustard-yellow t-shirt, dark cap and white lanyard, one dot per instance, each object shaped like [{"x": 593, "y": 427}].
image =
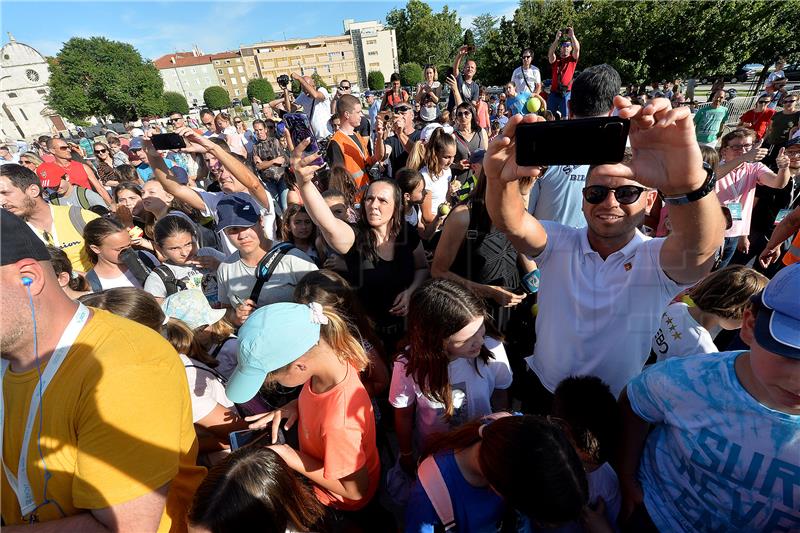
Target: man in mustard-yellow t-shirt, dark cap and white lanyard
[{"x": 97, "y": 420}]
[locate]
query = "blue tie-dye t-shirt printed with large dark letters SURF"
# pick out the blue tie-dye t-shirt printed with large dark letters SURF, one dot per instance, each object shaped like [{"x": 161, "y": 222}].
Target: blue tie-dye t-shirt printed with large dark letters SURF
[{"x": 717, "y": 459}]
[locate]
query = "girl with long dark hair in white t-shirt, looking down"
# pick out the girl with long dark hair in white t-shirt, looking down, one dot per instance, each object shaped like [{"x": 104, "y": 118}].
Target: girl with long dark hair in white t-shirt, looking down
[{"x": 452, "y": 371}]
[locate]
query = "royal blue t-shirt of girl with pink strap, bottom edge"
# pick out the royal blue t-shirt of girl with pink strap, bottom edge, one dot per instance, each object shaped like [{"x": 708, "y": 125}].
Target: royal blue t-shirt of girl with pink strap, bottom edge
[{"x": 475, "y": 509}]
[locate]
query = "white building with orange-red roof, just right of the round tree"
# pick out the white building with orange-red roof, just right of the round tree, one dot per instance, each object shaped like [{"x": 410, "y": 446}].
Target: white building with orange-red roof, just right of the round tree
[{"x": 187, "y": 73}]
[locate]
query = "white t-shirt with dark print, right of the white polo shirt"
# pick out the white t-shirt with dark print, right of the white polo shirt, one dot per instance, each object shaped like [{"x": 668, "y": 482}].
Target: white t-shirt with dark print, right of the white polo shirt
[{"x": 680, "y": 335}]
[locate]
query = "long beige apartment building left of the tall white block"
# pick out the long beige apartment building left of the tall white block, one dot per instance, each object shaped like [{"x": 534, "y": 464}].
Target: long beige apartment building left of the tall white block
[{"x": 332, "y": 57}]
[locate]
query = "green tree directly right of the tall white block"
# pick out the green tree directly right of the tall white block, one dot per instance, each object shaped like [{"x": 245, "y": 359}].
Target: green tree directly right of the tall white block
[{"x": 423, "y": 35}]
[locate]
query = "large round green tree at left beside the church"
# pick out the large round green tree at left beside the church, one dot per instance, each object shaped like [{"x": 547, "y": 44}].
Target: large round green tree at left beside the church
[{"x": 98, "y": 77}]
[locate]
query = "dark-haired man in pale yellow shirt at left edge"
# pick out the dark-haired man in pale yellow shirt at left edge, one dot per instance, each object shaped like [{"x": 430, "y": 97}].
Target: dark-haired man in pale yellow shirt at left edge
[{"x": 59, "y": 226}]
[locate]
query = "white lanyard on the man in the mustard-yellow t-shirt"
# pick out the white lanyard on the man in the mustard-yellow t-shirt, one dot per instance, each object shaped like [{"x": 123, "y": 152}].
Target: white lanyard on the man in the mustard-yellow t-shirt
[{"x": 21, "y": 486}]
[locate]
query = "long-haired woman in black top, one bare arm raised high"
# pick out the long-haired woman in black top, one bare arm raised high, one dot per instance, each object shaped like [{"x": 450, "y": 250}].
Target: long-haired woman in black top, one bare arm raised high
[{"x": 384, "y": 256}]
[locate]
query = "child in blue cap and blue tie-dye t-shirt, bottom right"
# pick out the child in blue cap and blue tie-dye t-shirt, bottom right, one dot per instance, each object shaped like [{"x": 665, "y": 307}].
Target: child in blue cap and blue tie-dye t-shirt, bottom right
[{"x": 724, "y": 450}]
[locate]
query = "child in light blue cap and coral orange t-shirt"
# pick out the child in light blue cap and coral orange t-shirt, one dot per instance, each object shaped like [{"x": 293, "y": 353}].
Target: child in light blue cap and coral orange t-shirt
[{"x": 310, "y": 345}]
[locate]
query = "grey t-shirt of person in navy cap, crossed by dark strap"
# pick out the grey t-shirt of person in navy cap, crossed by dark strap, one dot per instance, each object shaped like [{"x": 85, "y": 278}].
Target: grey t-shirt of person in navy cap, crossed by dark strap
[{"x": 236, "y": 280}]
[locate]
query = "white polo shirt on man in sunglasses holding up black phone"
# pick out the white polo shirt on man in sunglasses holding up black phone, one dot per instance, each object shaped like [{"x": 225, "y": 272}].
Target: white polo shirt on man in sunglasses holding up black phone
[{"x": 597, "y": 317}]
